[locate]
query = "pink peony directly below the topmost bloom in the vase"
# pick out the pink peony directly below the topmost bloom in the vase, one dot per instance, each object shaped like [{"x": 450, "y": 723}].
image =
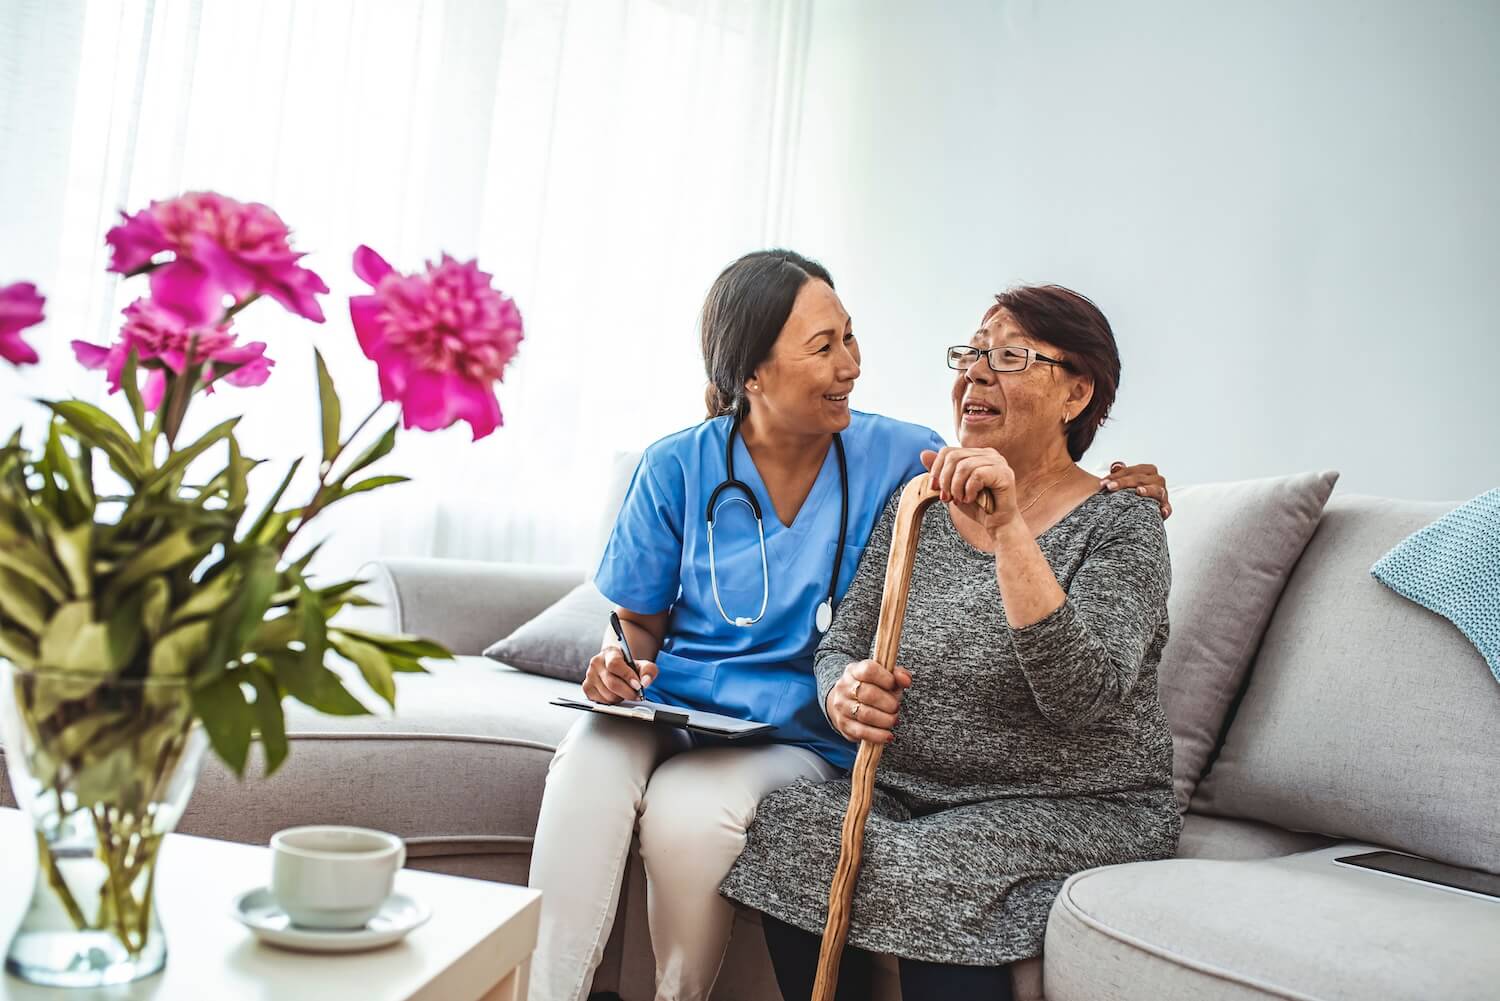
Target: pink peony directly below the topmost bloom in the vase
[{"x": 164, "y": 341}]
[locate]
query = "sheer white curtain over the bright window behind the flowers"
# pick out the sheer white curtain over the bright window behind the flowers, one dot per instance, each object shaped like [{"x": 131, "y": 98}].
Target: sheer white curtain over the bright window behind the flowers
[{"x": 602, "y": 158}]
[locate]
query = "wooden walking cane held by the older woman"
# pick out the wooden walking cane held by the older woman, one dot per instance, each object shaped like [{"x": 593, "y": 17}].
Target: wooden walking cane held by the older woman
[{"x": 916, "y": 499}]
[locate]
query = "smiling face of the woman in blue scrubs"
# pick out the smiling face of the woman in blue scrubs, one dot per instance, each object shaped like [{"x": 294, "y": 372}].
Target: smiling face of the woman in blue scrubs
[{"x": 806, "y": 380}]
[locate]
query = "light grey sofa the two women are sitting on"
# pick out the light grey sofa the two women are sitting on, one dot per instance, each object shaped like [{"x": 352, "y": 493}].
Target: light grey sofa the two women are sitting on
[{"x": 1364, "y": 721}]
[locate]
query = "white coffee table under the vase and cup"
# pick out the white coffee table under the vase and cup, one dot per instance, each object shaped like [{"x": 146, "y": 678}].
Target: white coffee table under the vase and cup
[{"x": 478, "y": 945}]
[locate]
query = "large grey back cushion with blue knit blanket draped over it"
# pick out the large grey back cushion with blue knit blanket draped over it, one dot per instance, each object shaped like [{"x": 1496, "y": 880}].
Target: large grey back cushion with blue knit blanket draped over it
[{"x": 1367, "y": 717}]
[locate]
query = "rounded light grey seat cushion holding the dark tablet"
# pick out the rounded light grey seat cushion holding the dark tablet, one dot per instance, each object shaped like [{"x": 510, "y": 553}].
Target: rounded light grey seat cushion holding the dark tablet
[{"x": 1300, "y": 927}]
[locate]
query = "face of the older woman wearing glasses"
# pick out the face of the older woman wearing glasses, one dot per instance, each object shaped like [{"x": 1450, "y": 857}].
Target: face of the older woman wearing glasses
[{"x": 1021, "y": 415}]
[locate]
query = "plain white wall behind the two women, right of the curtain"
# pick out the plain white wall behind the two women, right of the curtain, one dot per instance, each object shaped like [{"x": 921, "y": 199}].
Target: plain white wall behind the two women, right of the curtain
[{"x": 1291, "y": 214}]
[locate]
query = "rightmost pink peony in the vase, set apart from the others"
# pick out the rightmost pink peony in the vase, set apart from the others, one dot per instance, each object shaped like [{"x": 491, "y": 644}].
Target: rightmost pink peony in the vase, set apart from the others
[{"x": 440, "y": 340}]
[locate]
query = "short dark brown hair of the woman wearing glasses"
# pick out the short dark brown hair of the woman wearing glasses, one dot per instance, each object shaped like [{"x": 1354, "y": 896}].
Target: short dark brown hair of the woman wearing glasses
[{"x": 1072, "y": 323}]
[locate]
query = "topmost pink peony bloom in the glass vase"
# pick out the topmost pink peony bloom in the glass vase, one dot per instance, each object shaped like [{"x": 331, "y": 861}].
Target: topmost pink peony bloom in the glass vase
[{"x": 221, "y": 248}]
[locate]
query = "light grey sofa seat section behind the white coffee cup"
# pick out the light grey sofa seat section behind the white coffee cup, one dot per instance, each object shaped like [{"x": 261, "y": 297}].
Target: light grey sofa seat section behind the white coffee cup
[{"x": 458, "y": 771}]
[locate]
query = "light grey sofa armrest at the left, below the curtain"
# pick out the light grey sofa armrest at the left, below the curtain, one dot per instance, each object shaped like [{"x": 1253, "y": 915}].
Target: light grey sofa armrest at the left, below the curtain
[{"x": 463, "y": 604}]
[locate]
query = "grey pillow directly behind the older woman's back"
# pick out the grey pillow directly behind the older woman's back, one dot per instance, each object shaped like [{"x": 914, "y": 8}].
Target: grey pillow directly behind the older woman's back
[{"x": 1232, "y": 550}]
